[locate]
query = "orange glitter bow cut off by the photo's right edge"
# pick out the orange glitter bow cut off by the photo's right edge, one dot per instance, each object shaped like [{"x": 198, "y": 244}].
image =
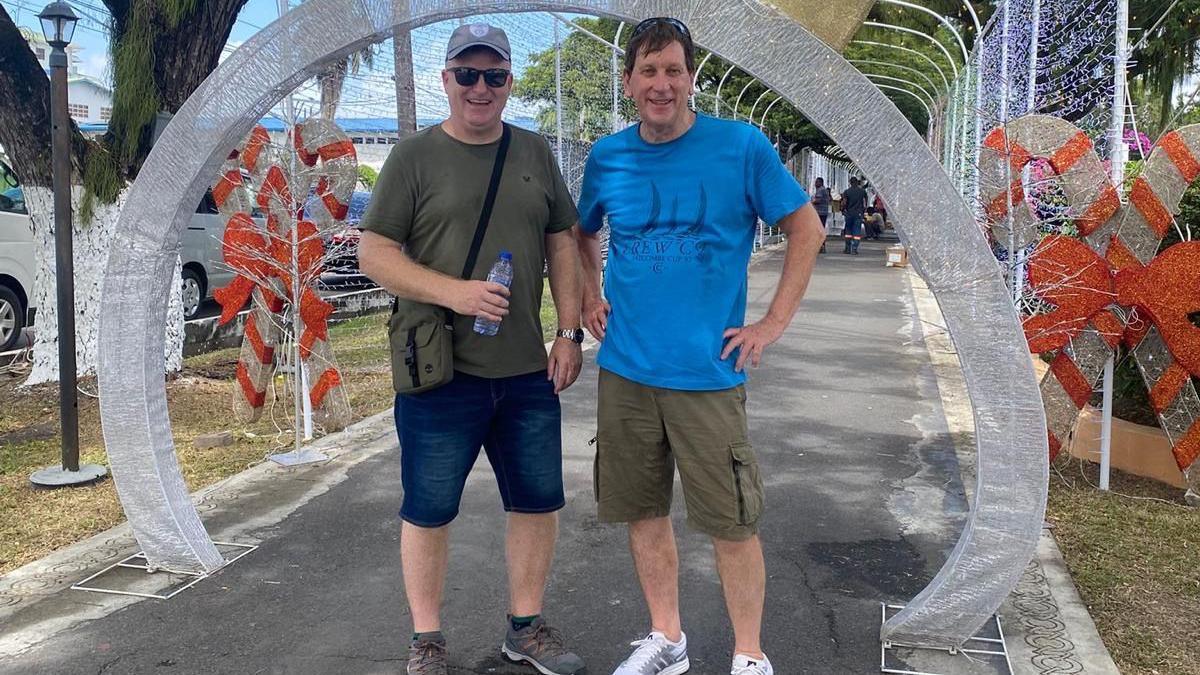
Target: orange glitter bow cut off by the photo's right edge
[{"x": 1169, "y": 290}]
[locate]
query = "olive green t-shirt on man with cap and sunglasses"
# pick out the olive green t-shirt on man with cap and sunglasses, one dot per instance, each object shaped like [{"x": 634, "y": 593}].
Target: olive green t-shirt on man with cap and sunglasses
[{"x": 429, "y": 198}]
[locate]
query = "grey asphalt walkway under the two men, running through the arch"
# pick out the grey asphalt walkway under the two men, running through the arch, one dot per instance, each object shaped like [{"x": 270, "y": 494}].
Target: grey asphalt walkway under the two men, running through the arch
[{"x": 865, "y": 500}]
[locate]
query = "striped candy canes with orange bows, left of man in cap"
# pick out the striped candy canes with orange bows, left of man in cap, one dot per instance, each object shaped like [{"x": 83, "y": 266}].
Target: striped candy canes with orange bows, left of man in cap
[{"x": 281, "y": 262}]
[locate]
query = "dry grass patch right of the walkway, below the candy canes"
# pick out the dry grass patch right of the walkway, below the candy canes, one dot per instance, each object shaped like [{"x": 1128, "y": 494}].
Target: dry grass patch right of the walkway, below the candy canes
[{"x": 1135, "y": 554}]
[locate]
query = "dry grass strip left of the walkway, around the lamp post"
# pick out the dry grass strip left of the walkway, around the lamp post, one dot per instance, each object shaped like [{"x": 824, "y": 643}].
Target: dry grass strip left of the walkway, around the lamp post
[{"x": 34, "y": 522}]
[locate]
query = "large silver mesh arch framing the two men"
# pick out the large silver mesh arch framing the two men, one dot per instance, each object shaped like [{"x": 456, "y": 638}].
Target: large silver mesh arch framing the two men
[{"x": 946, "y": 247}]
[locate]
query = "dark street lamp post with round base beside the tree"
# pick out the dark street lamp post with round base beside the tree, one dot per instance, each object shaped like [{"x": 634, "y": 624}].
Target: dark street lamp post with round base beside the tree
[{"x": 58, "y": 27}]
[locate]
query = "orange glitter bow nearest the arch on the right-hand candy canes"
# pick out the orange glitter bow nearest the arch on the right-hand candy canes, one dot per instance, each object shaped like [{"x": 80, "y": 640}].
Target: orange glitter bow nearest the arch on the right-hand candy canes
[{"x": 1069, "y": 274}]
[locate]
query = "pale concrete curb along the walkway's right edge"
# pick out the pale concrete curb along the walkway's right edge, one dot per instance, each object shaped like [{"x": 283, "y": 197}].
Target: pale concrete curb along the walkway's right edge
[{"x": 1048, "y": 629}]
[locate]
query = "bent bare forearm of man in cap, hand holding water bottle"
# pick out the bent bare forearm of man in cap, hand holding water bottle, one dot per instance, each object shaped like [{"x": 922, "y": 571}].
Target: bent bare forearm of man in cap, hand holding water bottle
[{"x": 386, "y": 262}]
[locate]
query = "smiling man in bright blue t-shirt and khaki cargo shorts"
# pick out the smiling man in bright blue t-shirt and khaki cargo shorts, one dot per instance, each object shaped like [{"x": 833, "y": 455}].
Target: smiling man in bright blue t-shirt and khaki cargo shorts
[{"x": 682, "y": 195}]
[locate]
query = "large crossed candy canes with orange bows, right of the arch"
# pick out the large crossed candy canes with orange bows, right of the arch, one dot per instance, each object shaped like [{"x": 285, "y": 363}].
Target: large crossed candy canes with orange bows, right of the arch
[{"x": 1119, "y": 267}]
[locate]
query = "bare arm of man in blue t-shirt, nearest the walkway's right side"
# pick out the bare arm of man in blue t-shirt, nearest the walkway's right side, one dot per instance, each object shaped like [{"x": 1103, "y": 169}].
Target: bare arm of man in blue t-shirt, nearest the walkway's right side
[{"x": 805, "y": 238}]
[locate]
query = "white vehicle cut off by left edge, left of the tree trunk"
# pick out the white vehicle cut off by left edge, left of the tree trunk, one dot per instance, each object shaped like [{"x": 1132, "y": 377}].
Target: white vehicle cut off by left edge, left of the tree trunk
[{"x": 17, "y": 259}]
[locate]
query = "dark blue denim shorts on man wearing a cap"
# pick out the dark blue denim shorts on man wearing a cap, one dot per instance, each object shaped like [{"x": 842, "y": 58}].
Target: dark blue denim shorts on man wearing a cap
[{"x": 518, "y": 421}]
